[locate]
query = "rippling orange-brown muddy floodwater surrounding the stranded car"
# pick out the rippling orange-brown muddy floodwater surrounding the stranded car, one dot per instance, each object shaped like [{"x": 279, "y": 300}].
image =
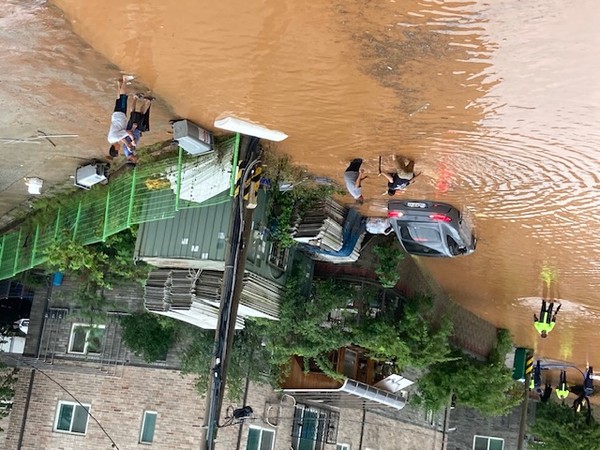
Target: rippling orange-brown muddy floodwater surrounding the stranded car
[{"x": 496, "y": 101}]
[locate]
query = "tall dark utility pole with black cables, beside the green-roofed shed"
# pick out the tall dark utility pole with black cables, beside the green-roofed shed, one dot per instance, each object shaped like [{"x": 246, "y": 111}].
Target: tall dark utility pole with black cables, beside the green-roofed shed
[{"x": 235, "y": 261}]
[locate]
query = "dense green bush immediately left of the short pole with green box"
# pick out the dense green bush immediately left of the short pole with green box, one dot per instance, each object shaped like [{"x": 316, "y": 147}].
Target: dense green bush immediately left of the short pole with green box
[{"x": 486, "y": 386}]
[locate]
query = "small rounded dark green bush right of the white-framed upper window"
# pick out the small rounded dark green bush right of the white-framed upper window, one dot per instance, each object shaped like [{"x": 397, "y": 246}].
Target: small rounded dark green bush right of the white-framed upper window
[{"x": 148, "y": 335}]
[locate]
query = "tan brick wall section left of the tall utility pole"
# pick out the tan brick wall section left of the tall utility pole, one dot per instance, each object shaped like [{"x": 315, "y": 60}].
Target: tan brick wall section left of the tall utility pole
[{"x": 117, "y": 403}]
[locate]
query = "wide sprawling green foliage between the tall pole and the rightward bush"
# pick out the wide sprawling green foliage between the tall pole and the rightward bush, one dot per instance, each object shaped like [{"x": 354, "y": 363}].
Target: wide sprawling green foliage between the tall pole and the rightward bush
[{"x": 406, "y": 336}]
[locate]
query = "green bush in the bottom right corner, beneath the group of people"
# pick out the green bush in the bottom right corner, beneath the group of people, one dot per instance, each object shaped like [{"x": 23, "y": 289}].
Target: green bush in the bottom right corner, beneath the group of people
[{"x": 557, "y": 427}]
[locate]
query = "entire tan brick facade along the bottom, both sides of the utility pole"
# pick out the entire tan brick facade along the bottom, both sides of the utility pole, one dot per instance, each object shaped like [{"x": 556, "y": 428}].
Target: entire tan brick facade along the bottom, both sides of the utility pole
[{"x": 118, "y": 404}]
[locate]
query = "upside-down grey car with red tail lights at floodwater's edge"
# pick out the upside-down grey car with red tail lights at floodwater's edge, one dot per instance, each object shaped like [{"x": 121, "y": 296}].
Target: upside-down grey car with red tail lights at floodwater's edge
[{"x": 427, "y": 228}]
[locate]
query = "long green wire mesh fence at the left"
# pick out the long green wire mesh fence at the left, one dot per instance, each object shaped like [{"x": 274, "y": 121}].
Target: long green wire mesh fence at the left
[{"x": 141, "y": 195}]
